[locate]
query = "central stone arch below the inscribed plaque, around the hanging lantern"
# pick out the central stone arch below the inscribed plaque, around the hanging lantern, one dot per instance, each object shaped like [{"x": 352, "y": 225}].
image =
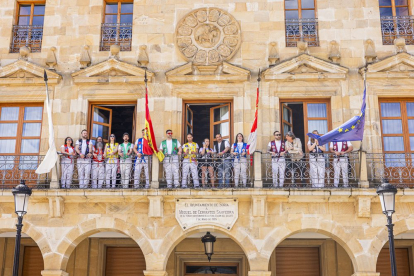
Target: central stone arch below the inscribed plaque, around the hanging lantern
[{"x": 257, "y": 262}]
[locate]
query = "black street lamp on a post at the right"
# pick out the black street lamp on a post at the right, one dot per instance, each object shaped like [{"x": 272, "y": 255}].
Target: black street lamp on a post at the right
[{"x": 386, "y": 193}]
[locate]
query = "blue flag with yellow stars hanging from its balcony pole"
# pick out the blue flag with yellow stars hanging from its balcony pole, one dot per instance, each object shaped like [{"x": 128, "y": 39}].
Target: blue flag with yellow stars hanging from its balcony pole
[{"x": 352, "y": 130}]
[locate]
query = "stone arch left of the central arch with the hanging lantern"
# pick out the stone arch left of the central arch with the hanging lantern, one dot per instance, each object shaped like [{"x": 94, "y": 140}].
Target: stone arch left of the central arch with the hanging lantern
[{"x": 84, "y": 229}]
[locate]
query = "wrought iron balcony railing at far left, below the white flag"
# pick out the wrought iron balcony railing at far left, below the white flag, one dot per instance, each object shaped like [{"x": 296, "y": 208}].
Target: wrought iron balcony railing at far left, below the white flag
[{"x": 13, "y": 168}]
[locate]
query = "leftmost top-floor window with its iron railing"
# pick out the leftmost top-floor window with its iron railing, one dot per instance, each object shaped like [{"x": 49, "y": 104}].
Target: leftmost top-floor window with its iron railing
[{"x": 28, "y": 30}]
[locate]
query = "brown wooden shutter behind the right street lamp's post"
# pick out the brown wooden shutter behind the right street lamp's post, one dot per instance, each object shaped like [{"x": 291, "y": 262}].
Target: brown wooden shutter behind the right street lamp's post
[{"x": 402, "y": 259}]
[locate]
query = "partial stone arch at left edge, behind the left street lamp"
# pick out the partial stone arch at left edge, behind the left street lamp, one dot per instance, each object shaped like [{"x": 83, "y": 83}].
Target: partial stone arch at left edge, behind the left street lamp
[{"x": 9, "y": 225}]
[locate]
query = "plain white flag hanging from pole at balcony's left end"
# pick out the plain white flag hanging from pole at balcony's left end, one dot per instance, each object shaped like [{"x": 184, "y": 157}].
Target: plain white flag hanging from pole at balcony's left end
[{"x": 51, "y": 156}]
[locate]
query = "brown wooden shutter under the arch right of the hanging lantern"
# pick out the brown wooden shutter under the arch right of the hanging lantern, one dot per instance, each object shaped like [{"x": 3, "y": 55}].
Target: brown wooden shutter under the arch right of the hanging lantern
[{"x": 297, "y": 261}]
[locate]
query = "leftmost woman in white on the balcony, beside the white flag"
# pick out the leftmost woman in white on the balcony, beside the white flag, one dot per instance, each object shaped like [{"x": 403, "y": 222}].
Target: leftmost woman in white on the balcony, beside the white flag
[{"x": 67, "y": 163}]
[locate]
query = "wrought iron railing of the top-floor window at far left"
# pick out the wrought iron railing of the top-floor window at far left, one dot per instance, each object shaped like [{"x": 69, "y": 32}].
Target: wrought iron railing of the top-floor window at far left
[{"x": 26, "y": 35}]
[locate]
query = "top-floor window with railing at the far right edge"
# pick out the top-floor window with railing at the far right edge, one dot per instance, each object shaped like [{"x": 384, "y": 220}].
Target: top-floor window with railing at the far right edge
[{"x": 396, "y": 21}]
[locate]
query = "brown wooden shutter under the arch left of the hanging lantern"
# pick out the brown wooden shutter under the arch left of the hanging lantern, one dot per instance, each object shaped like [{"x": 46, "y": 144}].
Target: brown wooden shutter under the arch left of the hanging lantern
[{"x": 125, "y": 261}]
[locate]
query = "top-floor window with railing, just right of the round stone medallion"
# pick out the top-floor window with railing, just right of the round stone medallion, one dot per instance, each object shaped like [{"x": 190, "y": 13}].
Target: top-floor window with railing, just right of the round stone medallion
[{"x": 301, "y": 23}]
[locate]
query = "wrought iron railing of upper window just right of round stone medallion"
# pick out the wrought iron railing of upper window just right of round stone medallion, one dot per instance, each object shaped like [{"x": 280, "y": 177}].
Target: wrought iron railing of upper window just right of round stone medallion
[{"x": 302, "y": 30}]
